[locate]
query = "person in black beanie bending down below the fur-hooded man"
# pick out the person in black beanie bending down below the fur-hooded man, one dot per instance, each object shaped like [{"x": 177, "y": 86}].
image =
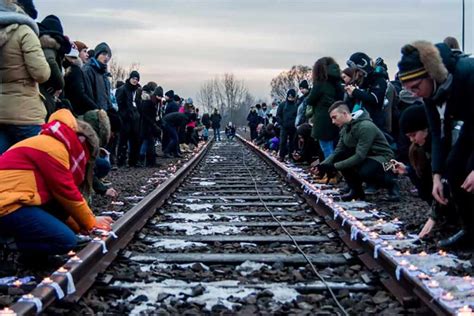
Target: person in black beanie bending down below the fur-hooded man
[{"x": 414, "y": 124}]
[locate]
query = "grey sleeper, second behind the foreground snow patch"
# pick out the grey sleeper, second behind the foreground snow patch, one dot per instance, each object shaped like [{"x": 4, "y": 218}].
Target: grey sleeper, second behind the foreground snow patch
[{"x": 259, "y": 239}]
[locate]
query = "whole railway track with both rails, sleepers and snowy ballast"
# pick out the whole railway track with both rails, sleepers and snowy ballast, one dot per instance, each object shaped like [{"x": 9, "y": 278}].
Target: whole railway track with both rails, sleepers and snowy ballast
[{"x": 228, "y": 233}]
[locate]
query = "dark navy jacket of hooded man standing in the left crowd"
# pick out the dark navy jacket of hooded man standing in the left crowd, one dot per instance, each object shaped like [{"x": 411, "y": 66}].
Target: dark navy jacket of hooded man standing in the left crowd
[{"x": 98, "y": 84}]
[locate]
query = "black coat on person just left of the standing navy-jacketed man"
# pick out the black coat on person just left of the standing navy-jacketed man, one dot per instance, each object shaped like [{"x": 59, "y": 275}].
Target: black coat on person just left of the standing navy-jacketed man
[{"x": 75, "y": 90}]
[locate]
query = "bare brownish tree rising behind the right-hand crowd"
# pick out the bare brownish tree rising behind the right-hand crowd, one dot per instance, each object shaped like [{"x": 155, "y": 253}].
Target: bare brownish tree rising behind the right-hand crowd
[{"x": 289, "y": 80}]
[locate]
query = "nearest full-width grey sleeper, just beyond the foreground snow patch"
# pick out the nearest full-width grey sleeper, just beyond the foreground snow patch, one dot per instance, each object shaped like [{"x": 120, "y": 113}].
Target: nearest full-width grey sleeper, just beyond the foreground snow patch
[{"x": 227, "y": 258}]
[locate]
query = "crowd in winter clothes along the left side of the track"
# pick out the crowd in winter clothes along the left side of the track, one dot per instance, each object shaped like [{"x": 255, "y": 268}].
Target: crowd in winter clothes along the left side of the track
[{"x": 64, "y": 125}]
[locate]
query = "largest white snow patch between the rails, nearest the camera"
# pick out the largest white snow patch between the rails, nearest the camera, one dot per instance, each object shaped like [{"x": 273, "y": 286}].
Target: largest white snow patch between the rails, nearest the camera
[{"x": 215, "y": 293}]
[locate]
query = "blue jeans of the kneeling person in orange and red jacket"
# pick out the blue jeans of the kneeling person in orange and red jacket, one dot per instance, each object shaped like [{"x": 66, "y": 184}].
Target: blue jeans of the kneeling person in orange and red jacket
[{"x": 37, "y": 232}]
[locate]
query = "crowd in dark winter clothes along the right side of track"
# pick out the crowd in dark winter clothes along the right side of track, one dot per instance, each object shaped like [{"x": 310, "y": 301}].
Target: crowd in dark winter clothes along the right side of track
[{"x": 360, "y": 126}]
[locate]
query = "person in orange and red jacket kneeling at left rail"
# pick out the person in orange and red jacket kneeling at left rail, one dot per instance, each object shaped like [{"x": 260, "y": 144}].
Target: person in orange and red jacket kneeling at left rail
[{"x": 50, "y": 167}]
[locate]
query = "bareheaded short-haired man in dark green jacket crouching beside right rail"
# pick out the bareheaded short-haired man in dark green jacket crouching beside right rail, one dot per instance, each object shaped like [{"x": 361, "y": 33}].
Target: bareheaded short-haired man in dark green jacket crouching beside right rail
[{"x": 360, "y": 153}]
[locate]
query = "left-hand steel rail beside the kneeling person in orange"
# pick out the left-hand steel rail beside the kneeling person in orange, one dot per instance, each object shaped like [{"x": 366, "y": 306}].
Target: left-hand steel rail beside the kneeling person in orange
[{"x": 92, "y": 259}]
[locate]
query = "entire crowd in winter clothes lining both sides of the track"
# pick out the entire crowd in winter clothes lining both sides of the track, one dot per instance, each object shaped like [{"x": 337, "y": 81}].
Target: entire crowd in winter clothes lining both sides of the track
[{"x": 64, "y": 125}]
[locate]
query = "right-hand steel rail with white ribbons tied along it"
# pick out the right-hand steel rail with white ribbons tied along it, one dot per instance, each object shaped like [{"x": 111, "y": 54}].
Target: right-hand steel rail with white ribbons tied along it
[{"x": 406, "y": 289}]
